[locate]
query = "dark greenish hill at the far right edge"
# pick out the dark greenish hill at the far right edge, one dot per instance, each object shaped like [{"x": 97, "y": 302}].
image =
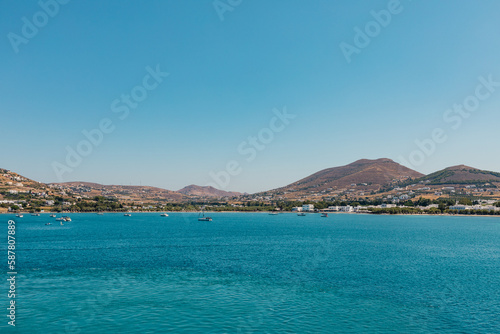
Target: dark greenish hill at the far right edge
[{"x": 461, "y": 175}]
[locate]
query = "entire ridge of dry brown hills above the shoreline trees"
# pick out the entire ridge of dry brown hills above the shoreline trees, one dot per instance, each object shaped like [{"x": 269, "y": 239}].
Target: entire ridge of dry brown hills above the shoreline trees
[{"x": 360, "y": 178}]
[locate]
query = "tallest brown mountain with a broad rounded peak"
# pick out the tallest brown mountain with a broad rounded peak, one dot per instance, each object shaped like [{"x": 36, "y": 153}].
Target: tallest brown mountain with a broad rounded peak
[{"x": 366, "y": 174}]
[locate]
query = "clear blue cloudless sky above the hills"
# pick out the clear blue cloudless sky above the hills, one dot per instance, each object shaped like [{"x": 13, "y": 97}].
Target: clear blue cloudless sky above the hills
[{"x": 226, "y": 77}]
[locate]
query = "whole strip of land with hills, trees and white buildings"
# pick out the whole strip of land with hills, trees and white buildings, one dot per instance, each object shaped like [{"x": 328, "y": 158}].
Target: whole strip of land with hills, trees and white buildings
[{"x": 362, "y": 186}]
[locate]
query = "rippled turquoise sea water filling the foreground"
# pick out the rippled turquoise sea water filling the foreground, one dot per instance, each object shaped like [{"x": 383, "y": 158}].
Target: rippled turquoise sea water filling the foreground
[{"x": 245, "y": 273}]
